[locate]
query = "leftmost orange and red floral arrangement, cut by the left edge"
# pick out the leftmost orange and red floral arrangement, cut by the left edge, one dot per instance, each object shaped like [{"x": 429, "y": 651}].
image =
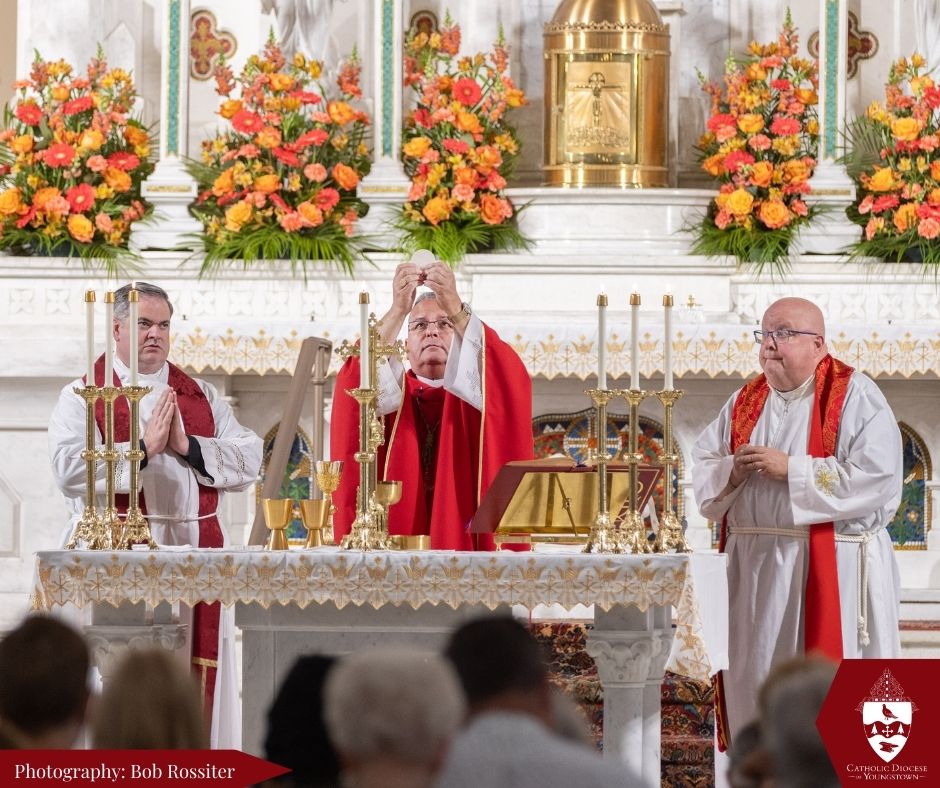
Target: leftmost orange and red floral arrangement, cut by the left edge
[{"x": 73, "y": 164}]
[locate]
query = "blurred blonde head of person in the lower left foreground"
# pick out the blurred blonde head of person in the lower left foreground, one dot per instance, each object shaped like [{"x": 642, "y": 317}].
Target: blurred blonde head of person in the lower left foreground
[{"x": 151, "y": 703}]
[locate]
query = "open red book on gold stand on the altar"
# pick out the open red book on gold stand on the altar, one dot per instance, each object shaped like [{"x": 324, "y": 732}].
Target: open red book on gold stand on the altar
[{"x": 555, "y": 500}]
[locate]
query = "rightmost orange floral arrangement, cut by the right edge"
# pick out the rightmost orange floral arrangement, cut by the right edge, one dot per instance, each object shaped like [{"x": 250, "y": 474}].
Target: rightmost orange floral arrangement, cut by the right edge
[{"x": 895, "y": 163}]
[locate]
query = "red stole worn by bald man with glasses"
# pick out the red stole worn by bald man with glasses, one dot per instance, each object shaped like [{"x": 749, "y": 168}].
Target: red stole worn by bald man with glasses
[{"x": 822, "y": 613}]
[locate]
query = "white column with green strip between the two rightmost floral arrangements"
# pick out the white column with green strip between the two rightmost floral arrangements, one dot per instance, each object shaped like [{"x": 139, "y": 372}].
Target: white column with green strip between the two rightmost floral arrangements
[{"x": 832, "y": 187}]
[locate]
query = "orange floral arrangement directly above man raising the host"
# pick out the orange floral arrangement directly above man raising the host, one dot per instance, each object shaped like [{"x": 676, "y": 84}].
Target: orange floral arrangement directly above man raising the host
[{"x": 457, "y": 148}]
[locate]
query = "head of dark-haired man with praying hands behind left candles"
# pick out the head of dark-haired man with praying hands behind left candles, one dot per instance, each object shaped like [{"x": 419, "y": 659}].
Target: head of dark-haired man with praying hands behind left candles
[{"x": 152, "y": 332}]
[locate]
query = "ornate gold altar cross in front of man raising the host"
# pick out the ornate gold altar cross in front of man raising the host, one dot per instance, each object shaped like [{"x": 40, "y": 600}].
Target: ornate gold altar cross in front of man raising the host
[{"x": 369, "y": 529}]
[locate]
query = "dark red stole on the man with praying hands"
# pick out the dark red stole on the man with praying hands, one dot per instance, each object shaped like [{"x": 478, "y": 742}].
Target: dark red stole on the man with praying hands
[{"x": 197, "y": 420}]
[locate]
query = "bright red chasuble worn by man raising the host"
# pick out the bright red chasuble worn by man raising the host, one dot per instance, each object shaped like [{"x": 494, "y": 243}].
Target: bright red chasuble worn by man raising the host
[{"x": 445, "y": 479}]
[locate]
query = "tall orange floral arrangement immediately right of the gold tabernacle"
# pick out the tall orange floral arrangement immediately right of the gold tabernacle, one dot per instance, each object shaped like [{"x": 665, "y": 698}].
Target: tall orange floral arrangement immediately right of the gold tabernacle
[{"x": 761, "y": 145}]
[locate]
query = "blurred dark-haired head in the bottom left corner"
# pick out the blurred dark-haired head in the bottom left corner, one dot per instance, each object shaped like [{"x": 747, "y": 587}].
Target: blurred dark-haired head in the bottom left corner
[{"x": 44, "y": 692}]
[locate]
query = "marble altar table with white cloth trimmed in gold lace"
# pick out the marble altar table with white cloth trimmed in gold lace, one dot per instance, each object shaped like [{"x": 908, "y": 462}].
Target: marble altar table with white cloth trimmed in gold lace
[{"x": 651, "y": 613}]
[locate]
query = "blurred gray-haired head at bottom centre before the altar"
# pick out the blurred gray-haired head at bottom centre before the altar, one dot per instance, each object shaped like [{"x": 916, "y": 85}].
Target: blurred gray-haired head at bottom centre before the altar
[{"x": 394, "y": 702}]
